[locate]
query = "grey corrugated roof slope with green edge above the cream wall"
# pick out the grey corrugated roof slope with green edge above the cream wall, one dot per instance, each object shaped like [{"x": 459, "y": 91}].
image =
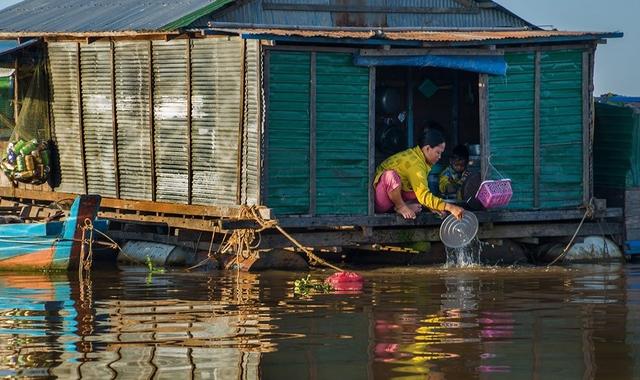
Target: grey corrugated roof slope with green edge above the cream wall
[{"x": 82, "y": 16}]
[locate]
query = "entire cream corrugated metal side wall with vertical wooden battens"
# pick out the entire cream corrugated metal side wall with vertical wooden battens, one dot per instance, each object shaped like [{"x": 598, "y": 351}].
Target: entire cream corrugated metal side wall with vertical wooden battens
[{"x": 152, "y": 81}]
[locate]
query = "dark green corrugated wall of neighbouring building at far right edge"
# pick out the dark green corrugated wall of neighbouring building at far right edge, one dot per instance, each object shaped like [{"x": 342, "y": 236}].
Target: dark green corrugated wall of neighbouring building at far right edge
[{"x": 616, "y": 148}]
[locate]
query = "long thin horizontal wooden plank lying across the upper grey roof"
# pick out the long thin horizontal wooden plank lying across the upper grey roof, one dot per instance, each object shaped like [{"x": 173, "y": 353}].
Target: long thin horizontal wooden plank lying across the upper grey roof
[{"x": 348, "y": 8}]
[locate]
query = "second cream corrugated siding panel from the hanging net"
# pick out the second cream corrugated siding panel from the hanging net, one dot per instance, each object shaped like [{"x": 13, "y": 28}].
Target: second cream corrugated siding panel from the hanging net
[{"x": 95, "y": 61}]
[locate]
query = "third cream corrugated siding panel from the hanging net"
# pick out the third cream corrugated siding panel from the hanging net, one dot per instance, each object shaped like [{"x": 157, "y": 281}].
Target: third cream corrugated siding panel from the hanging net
[{"x": 133, "y": 118}]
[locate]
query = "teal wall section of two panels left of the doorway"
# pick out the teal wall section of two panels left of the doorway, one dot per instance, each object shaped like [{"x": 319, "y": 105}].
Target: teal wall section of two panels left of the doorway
[{"x": 342, "y": 125}]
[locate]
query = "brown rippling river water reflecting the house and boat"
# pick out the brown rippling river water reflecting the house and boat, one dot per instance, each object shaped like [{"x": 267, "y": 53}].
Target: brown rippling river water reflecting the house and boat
[{"x": 578, "y": 322}]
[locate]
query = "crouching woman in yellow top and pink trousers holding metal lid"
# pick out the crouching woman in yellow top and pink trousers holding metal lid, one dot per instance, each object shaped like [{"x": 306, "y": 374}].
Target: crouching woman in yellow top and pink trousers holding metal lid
[{"x": 401, "y": 180}]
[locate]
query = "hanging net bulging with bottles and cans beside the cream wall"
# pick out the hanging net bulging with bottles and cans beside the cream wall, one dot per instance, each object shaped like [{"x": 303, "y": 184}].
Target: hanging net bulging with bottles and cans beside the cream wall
[{"x": 27, "y": 157}]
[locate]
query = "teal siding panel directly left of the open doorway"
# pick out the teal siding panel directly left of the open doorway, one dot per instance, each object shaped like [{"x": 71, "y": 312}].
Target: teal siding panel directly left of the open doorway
[{"x": 342, "y": 130}]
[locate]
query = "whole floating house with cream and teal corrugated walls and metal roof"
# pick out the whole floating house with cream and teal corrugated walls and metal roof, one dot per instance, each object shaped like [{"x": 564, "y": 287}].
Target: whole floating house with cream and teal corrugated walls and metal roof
[{"x": 181, "y": 113}]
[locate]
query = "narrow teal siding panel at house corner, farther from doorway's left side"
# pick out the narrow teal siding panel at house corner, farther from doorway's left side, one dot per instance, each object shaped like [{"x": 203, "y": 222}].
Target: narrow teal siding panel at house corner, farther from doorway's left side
[{"x": 288, "y": 132}]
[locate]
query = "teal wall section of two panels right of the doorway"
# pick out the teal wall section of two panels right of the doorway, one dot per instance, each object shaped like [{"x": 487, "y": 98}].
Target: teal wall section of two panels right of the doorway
[{"x": 511, "y": 128}]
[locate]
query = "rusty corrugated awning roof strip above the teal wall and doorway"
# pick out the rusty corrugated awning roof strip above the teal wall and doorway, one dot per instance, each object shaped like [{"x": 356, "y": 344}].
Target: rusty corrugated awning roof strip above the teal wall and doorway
[{"x": 447, "y": 37}]
